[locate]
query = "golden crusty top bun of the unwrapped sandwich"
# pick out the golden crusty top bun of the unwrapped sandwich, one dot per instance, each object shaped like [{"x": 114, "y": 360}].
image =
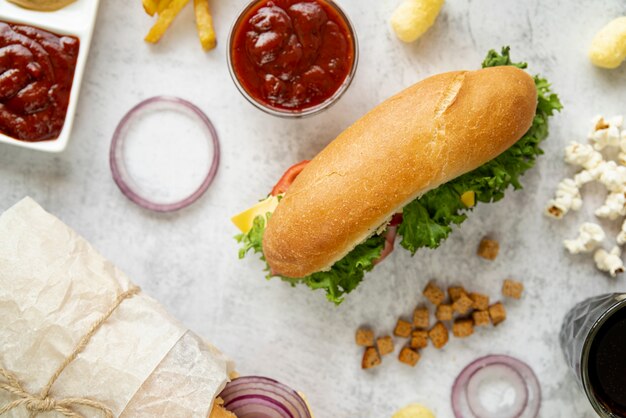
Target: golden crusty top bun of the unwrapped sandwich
[{"x": 432, "y": 132}]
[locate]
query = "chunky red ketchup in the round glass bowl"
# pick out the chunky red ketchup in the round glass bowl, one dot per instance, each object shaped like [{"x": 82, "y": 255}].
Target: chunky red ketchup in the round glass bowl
[{"x": 293, "y": 55}]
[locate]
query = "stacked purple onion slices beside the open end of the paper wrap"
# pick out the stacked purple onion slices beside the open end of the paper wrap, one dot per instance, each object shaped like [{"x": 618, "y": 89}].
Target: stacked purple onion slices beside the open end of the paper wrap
[{"x": 260, "y": 397}]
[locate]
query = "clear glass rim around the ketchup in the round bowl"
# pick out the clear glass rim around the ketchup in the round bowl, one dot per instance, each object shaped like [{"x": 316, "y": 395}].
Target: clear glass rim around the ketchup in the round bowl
[{"x": 288, "y": 114}]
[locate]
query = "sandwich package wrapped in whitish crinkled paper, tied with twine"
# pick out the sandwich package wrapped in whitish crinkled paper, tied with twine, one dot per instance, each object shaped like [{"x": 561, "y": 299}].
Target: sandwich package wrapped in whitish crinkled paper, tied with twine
[{"x": 139, "y": 362}]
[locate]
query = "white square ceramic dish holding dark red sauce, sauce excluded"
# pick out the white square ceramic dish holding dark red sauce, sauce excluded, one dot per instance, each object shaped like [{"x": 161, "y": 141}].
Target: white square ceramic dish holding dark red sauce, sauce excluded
[{"x": 77, "y": 19}]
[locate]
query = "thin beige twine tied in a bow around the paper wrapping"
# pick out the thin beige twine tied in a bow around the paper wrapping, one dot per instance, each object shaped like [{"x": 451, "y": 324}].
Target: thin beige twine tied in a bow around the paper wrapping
[{"x": 43, "y": 402}]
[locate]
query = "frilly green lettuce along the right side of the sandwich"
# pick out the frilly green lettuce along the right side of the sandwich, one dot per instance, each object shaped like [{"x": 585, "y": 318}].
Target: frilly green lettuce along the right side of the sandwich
[{"x": 428, "y": 220}]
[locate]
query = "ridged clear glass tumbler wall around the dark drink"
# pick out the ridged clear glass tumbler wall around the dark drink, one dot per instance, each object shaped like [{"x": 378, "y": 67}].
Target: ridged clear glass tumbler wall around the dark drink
[{"x": 579, "y": 330}]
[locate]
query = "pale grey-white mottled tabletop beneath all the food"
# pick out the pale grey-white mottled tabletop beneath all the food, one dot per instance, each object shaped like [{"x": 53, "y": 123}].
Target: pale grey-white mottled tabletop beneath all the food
[{"x": 188, "y": 260}]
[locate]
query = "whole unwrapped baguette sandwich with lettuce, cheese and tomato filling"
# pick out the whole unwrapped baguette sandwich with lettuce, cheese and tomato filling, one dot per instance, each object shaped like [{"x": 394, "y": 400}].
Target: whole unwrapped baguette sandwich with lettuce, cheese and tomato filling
[{"x": 410, "y": 170}]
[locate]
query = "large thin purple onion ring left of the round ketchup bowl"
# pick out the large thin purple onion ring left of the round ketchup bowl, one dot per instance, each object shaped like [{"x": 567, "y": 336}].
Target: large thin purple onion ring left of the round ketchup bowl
[{"x": 120, "y": 172}]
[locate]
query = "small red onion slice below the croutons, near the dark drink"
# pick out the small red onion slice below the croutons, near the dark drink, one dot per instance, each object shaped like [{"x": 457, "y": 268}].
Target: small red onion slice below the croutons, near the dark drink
[{"x": 516, "y": 375}]
